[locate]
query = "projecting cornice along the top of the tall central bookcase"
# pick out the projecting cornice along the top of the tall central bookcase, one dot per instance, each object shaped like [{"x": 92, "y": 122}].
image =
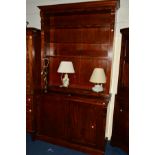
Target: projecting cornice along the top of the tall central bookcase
[{"x": 100, "y": 6}]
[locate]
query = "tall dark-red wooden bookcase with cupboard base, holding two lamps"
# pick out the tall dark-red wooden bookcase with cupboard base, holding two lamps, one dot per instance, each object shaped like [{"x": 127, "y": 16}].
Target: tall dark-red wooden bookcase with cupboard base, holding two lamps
[{"x": 82, "y": 33}]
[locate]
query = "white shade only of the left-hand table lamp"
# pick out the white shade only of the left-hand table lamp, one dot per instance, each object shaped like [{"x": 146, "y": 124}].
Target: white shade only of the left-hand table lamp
[{"x": 66, "y": 67}]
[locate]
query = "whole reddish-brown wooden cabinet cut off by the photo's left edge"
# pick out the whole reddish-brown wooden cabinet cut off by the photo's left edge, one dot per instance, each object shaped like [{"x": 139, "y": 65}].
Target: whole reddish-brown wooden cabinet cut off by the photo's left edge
[{"x": 32, "y": 73}]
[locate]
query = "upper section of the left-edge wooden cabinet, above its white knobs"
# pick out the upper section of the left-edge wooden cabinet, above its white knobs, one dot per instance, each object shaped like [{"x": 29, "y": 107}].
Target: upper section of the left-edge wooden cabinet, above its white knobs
[{"x": 33, "y": 59}]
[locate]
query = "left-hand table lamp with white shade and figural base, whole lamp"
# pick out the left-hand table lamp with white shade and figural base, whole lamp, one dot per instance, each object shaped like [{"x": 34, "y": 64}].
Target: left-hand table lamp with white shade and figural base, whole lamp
[{"x": 65, "y": 67}]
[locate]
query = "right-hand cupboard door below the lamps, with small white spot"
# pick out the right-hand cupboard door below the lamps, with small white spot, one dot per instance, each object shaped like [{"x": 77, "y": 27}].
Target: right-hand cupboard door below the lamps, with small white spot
[{"x": 87, "y": 122}]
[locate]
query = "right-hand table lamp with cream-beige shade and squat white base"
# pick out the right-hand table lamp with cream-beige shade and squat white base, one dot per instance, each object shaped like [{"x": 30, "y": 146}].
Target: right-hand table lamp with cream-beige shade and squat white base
[{"x": 98, "y": 77}]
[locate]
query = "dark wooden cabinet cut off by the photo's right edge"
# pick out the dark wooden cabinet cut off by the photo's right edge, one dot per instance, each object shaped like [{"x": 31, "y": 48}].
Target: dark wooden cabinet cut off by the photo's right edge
[{"x": 120, "y": 135}]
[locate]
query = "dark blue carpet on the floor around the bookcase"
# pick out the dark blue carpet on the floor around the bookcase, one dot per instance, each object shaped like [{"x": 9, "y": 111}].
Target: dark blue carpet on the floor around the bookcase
[{"x": 38, "y": 147}]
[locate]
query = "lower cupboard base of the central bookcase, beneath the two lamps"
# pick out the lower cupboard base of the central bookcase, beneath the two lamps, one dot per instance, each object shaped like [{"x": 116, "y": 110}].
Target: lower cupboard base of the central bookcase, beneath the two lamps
[{"x": 73, "y": 119}]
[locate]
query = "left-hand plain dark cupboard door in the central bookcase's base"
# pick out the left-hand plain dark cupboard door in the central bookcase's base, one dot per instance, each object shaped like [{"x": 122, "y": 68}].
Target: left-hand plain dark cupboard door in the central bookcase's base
[{"x": 53, "y": 113}]
